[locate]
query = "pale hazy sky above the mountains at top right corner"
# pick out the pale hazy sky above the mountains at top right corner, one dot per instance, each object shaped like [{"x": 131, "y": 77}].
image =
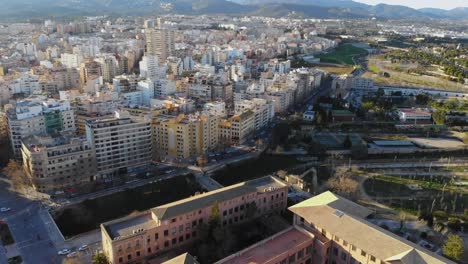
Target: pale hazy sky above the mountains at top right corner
[{"x": 444, "y": 4}]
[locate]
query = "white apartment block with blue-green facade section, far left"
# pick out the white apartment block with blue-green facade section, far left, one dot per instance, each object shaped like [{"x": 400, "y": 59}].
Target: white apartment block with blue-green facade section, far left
[{"x": 38, "y": 115}]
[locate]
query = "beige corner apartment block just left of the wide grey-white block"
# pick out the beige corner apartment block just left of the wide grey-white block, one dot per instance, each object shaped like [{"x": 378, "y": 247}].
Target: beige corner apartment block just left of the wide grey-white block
[{"x": 58, "y": 162}]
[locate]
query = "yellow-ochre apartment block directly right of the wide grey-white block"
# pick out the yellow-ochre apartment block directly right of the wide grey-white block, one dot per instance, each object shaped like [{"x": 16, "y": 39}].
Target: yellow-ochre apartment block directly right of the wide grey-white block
[{"x": 184, "y": 136}]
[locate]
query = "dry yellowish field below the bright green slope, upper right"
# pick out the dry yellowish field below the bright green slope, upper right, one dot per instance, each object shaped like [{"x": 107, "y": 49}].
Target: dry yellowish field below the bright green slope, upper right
[{"x": 399, "y": 77}]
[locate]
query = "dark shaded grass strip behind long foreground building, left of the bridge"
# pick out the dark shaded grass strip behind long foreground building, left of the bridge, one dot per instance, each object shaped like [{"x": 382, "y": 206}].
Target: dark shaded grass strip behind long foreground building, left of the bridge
[{"x": 89, "y": 214}]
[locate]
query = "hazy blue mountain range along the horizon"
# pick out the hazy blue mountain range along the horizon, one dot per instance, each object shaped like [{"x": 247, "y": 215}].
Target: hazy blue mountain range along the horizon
[{"x": 307, "y": 8}]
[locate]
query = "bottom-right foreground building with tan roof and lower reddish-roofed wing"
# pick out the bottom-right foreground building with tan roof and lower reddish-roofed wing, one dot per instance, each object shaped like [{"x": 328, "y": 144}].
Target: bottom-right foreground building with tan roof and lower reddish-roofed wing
[{"x": 331, "y": 229}]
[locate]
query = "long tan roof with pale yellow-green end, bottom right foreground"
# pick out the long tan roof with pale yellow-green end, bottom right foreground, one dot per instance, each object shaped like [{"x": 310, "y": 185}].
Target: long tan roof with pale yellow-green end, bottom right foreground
[{"x": 346, "y": 220}]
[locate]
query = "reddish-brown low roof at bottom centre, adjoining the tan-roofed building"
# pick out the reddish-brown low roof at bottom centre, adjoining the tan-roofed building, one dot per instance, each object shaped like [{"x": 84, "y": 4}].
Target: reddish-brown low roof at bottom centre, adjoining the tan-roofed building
[{"x": 271, "y": 248}]
